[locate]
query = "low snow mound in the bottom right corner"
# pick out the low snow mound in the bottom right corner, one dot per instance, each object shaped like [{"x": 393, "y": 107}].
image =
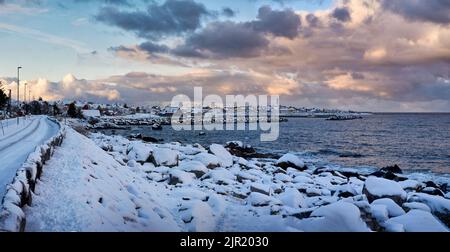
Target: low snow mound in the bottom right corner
[{"x": 418, "y": 221}]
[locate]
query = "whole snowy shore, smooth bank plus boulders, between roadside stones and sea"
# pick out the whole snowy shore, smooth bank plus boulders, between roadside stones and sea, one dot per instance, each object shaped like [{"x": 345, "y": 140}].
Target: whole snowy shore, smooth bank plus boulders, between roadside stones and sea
[{"x": 113, "y": 184}]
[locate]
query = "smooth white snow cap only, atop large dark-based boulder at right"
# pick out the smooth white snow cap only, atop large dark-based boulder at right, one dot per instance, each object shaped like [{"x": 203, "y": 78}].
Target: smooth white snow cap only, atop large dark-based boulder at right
[{"x": 381, "y": 187}]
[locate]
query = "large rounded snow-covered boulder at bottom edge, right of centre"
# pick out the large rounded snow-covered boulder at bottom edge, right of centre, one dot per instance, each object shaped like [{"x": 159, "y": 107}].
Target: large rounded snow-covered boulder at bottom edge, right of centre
[{"x": 337, "y": 217}]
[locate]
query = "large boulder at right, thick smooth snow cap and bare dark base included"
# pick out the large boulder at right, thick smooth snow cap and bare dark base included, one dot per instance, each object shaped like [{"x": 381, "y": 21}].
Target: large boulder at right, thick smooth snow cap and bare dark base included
[{"x": 377, "y": 188}]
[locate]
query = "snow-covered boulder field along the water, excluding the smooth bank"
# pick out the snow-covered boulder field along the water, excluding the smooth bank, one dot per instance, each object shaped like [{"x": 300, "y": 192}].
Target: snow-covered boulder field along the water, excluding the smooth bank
[{"x": 293, "y": 193}]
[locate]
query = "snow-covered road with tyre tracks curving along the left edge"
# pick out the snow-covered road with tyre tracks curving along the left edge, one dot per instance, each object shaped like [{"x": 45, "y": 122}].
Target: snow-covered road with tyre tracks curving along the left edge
[{"x": 18, "y": 142}]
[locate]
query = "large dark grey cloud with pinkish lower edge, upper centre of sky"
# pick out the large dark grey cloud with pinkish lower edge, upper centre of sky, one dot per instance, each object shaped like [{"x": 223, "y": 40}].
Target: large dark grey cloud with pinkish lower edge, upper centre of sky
[{"x": 241, "y": 39}]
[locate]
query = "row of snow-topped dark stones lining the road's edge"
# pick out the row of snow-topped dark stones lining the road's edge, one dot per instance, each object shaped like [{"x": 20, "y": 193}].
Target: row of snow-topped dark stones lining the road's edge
[{"x": 19, "y": 192}]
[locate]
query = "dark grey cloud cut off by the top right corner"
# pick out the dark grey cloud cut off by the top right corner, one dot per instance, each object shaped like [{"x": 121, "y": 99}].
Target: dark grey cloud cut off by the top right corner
[{"x": 437, "y": 11}]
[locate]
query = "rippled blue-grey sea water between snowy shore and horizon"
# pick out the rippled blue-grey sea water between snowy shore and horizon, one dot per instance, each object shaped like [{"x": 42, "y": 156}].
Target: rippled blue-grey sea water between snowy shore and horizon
[{"x": 415, "y": 142}]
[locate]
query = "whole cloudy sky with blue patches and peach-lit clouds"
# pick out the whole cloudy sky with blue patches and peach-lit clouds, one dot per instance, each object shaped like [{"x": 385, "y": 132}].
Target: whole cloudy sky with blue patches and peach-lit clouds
[{"x": 369, "y": 55}]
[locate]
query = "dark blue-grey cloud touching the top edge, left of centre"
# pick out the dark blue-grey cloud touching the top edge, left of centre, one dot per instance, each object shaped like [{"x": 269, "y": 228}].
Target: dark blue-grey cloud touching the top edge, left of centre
[{"x": 171, "y": 17}]
